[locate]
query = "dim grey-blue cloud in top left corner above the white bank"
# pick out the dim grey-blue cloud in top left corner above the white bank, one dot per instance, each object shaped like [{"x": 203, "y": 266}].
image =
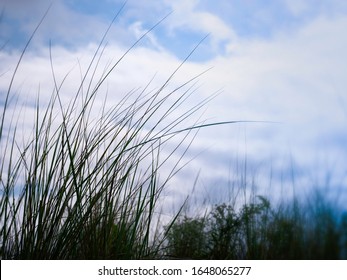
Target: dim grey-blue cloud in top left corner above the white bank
[{"x": 63, "y": 25}]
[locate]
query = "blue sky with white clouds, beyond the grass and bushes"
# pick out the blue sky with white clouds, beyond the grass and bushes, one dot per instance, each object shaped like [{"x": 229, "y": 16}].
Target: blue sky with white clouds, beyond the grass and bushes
[{"x": 280, "y": 63}]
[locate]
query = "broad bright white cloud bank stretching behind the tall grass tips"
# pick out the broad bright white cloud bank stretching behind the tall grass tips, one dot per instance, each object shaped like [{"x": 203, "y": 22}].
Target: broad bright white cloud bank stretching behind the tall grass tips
[{"x": 295, "y": 77}]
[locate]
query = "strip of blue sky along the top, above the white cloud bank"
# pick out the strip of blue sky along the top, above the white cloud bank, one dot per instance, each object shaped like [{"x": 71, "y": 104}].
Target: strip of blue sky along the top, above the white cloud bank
[{"x": 79, "y": 21}]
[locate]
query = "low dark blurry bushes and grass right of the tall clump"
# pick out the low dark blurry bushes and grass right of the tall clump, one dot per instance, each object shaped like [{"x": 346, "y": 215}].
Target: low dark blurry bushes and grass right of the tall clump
[{"x": 257, "y": 230}]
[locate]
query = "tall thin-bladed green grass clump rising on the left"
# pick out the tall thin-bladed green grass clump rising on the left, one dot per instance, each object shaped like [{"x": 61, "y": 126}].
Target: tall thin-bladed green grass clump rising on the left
[{"x": 81, "y": 187}]
